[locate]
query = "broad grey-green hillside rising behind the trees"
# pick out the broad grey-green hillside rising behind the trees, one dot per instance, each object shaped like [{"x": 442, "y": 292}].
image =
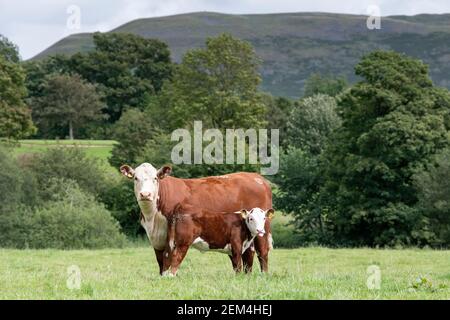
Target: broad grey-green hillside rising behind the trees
[{"x": 294, "y": 45}]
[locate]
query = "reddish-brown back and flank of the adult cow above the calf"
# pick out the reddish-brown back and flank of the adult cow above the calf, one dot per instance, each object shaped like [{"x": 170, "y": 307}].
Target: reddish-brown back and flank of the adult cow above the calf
[{"x": 227, "y": 193}]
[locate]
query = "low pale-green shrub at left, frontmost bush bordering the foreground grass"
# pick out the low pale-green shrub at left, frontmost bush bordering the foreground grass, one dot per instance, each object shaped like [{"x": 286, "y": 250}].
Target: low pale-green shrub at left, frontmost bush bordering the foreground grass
[{"x": 72, "y": 220}]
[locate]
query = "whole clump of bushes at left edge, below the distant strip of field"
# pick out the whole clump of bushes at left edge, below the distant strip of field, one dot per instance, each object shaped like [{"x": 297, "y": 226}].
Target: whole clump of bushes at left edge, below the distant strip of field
[{"x": 42, "y": 207}]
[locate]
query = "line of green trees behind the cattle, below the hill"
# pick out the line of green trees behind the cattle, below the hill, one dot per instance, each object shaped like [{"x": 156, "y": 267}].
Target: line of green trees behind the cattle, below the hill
[{"x": 363, "y": 164}]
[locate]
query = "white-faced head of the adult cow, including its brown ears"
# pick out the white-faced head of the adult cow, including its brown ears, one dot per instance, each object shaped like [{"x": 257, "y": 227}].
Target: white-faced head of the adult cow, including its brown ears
[{"x": 146, "y": 180}]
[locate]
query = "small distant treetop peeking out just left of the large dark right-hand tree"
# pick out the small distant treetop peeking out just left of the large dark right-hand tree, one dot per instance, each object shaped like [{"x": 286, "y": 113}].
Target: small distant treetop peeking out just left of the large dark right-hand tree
[{"x": 329, "y": 85}]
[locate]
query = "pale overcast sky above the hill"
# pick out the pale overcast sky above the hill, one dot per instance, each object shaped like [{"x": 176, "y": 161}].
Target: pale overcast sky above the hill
[{"x": 35, "y": 25}]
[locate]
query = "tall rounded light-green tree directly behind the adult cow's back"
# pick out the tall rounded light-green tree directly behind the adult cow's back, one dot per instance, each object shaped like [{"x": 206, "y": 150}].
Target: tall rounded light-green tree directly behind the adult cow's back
[{"x": 217, "y": 85}]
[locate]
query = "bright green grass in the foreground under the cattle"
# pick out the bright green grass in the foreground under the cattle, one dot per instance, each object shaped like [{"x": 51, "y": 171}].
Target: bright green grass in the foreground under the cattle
[{"x": 310, "y": 273}]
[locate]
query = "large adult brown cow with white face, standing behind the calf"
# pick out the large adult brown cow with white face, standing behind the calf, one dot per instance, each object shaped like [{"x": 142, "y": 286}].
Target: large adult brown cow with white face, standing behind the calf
[{"x": 158, "y": 193}]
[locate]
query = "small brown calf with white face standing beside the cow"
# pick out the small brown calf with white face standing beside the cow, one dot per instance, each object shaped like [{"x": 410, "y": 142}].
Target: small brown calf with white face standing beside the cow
[{"x": 231, "y": 233}]
